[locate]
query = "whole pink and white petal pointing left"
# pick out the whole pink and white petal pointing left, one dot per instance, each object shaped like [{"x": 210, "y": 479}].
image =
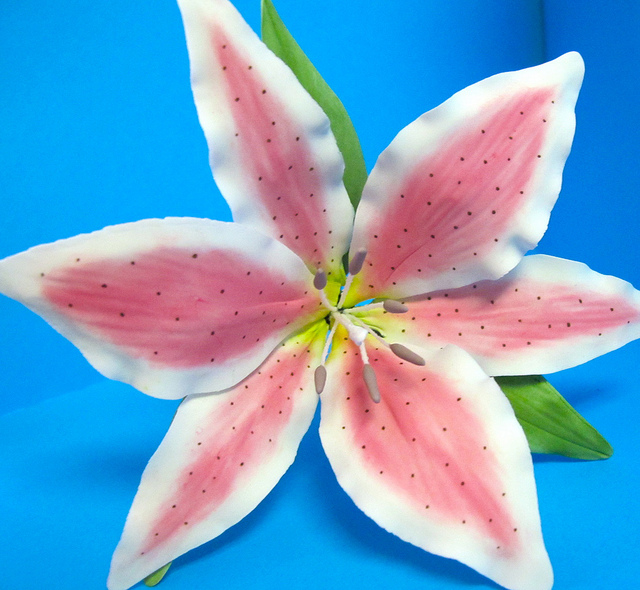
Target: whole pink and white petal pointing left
[{"x": 171, "y": 306}]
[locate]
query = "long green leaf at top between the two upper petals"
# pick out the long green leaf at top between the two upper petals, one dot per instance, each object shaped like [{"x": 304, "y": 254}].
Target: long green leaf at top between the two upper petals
[{"x": 281, "y": 42}]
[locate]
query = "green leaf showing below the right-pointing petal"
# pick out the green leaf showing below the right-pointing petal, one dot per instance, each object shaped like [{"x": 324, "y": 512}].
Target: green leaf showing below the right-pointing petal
[{"x": 549, "y": 422}]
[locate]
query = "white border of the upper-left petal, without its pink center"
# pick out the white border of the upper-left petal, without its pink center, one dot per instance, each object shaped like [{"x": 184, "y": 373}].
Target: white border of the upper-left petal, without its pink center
[{"x": 216, "y": 120}]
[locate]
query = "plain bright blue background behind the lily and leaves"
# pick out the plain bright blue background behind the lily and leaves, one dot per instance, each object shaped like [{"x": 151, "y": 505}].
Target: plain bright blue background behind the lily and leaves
[{"x": 97, "y": 127}]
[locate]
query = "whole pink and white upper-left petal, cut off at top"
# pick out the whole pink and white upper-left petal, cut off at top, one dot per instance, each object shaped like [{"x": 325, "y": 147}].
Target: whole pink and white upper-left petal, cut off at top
[{"x": 271, "y": 148}]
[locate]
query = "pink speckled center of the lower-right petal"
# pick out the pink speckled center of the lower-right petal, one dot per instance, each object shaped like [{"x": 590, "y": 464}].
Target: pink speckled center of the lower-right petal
[{"x": 425, "y": 442}]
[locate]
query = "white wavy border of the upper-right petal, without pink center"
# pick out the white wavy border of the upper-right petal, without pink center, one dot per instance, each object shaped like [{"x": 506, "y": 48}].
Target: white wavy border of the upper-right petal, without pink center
[{"x": 425, "y": 135}]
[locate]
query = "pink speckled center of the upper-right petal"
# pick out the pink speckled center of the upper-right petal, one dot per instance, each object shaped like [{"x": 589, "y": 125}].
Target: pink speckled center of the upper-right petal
[{"x": 457, "y": 204}]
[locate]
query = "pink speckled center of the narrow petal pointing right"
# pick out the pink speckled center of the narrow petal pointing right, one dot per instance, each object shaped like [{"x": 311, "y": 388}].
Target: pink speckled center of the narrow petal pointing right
[{"x": 490, "y": 317}]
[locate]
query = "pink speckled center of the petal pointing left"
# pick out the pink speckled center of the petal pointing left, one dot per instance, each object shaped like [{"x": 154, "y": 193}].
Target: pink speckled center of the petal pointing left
[{"x": 178, "y": 307}]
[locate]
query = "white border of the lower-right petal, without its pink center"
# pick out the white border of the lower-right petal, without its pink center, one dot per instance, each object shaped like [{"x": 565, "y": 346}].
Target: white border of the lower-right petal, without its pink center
[{"x": 531, "y": 572}]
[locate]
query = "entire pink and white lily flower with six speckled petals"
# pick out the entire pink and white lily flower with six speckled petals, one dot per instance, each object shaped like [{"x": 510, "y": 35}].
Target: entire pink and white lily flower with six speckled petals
[{"x": 253, "y": 322}]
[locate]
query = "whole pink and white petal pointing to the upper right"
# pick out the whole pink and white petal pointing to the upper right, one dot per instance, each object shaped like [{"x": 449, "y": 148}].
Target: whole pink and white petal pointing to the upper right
[{"x": 464, "y": 191}]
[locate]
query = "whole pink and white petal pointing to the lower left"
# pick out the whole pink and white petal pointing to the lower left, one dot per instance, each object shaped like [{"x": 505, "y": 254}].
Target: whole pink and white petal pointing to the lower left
[{"x": 223, "y": 454}]
